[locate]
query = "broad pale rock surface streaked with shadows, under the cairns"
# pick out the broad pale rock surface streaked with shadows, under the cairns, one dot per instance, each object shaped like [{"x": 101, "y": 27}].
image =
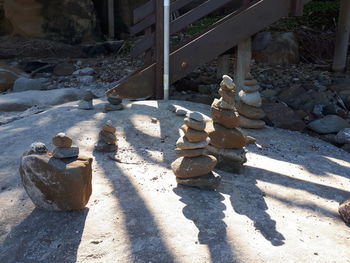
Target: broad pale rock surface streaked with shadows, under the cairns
[{"x": 281, "y": 208}]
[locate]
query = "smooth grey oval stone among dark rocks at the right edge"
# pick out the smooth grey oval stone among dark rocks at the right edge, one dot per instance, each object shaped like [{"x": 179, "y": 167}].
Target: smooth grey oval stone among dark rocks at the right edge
[{"x": 328, "y": 124}]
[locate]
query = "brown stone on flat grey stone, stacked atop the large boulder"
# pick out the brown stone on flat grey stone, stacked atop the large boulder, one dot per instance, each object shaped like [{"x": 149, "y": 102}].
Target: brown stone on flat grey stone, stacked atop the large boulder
[{"x": 64, "y": 147}]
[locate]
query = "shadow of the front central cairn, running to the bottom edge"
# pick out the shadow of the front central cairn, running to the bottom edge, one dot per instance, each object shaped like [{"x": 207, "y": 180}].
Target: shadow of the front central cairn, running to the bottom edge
[{"x": 206, "y": 210}]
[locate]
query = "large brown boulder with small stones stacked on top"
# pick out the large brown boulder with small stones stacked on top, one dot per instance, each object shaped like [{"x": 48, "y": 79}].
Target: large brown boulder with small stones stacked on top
[{"x": 58, "y": 180}]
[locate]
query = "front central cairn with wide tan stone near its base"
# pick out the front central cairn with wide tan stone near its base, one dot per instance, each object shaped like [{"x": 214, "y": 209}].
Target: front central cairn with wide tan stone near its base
[{"x": 193, "y": 167}]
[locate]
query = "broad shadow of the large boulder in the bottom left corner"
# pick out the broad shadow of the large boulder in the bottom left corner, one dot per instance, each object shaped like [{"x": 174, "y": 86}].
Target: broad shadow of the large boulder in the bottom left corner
[{"x": 45, "y": 236}]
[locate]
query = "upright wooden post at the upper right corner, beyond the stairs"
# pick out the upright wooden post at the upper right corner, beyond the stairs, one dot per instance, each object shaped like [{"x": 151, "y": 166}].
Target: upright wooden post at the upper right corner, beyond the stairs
[{"x": 342, "y": 39}]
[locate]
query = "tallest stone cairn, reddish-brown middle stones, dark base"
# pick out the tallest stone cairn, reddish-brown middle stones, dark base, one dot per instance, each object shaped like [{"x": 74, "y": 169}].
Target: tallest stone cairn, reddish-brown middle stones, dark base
[{"x": 226, "y": 141}]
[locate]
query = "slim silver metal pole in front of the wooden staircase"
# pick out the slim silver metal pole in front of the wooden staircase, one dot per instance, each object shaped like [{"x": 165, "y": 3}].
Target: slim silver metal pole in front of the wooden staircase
[{"x": 166, "y": 48}]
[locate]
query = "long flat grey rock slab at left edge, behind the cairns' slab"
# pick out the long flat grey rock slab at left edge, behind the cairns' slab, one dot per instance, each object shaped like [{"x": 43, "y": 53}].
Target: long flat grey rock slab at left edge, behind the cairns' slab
[{"x": 20, "y": 101}]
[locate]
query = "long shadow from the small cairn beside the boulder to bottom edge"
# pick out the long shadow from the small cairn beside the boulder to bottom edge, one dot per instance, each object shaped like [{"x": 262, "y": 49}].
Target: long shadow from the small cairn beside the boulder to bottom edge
[{"x": 145, "y": 238}]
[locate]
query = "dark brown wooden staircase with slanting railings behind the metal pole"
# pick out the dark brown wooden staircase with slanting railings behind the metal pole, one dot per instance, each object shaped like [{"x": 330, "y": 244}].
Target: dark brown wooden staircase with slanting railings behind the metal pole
[{"x": 240, "y": 24}]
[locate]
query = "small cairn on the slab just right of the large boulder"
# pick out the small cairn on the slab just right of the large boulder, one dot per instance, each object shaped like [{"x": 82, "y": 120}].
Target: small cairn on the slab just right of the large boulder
[{"x": 107, "y": 139}]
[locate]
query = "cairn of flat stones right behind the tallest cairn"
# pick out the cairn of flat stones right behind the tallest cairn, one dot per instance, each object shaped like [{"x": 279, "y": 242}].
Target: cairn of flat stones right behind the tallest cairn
[{"x": 249, "y": 105}]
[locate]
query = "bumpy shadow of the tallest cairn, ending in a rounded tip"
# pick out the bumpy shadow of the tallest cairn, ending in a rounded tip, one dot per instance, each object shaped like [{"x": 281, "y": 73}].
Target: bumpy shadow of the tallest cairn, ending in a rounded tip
[{"x": 247, "y": 199}]
